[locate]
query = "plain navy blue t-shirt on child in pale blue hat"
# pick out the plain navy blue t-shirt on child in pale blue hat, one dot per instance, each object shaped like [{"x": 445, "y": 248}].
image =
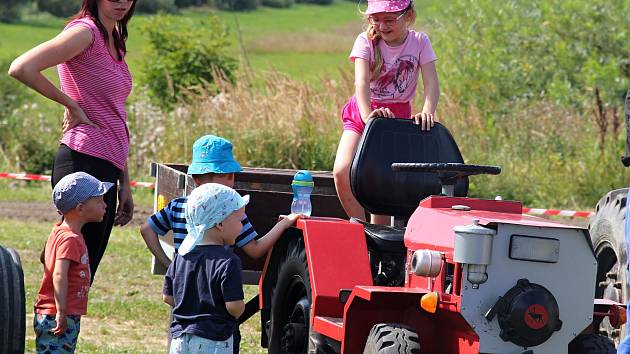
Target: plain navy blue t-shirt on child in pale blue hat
[{"x": 201, "y": 282}]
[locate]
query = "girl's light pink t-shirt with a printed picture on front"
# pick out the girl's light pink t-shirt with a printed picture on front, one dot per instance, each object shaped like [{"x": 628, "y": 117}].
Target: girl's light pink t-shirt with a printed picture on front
[{"x": 399, "y": 78}]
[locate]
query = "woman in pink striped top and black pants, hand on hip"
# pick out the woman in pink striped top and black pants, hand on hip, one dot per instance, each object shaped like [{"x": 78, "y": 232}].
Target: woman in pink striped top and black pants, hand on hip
[{"x": 95, "y": 83}]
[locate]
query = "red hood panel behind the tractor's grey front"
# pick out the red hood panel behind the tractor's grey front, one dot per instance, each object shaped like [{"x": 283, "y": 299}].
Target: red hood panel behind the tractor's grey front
[{"x": 431, "y": 225}]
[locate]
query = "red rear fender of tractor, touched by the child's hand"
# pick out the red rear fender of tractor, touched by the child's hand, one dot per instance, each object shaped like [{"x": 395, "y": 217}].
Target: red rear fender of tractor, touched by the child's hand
[{"x": 337, "y": 259}]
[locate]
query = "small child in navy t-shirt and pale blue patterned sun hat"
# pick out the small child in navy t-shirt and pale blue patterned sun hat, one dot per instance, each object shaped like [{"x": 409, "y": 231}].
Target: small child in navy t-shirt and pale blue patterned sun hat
[{"x": 203, "y": 283}]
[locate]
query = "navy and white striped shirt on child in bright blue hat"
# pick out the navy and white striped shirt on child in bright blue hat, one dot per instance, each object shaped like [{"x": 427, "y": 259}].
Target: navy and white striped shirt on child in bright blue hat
[{"x": 173, "y": 218}]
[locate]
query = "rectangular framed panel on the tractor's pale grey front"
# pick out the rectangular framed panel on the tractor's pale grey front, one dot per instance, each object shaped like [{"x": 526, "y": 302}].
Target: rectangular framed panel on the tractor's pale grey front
[{"x": 535, "y": 249}]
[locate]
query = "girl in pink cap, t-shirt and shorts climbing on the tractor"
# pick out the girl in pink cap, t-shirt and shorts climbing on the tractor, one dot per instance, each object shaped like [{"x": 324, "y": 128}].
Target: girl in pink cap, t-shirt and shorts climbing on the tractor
[{"x": 387, "y": 60}]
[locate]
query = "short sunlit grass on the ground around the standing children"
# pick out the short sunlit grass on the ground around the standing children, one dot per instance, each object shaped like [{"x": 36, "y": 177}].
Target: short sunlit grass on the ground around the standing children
[{"x": 125, "y": 311}]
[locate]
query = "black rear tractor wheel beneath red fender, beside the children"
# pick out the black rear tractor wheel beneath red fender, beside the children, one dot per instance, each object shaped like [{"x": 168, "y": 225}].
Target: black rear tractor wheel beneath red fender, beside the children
[{"x": 291, "y": 307}]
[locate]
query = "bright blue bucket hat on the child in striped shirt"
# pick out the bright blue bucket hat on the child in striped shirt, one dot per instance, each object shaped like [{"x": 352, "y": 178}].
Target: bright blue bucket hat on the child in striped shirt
[{"x": 213, "y": 154}]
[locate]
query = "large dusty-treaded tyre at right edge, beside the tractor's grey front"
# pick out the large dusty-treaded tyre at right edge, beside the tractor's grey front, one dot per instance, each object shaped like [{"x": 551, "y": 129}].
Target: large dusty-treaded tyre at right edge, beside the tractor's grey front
[{"x": 607, "y": 235}]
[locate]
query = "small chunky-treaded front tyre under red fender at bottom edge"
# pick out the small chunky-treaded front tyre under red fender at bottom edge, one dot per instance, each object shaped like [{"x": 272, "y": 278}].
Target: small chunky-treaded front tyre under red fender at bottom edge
[{"x": 392, "y": 338}]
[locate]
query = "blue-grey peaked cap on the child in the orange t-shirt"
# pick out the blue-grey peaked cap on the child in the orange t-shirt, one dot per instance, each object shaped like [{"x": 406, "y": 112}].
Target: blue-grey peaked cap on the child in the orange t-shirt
[{"x": 76, "y": 188}]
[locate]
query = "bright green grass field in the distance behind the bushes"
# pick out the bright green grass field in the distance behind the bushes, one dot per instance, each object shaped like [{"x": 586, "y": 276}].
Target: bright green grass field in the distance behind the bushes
[{"x": 268, "y": 36}]
